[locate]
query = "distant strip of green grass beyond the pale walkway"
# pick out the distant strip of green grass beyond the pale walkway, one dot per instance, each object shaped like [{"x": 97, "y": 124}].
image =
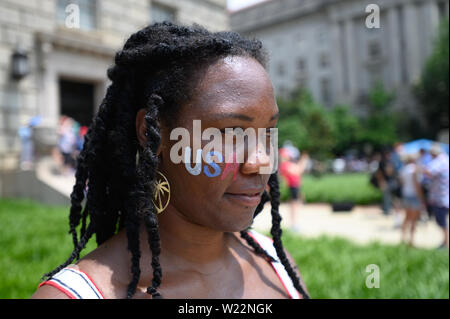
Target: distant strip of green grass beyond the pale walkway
[{"x": 353, "y": 187}]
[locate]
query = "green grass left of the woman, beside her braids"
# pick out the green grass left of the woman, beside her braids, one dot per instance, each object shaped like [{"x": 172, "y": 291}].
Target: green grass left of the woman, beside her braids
[{"x": 34, "y": 239}]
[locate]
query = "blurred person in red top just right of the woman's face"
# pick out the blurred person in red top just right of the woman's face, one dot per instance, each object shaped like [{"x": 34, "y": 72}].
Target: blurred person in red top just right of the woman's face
[{"x": 292, "y": 171}]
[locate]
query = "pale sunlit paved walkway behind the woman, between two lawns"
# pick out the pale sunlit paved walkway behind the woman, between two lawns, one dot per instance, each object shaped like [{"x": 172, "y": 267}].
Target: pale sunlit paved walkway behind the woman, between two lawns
[{"x": 363, "y": 224}]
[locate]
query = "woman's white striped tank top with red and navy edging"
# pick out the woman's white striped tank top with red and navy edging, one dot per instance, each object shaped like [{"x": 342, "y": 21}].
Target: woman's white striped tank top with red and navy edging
[{"x": 76, "y": 284}]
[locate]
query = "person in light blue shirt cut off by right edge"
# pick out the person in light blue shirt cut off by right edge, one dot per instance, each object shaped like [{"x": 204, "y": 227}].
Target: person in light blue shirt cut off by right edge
[{"x": 437, "y": 171}]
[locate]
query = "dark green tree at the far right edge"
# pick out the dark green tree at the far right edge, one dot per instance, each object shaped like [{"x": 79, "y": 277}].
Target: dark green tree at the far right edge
[{"x": 432, "y": 89}]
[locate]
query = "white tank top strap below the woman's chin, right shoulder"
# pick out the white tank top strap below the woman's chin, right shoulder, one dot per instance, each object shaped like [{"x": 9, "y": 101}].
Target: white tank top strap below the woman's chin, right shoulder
[{"x": 267, "y": 244}]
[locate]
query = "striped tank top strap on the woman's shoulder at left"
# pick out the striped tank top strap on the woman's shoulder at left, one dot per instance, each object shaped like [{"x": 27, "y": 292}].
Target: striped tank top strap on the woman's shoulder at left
[{"x": 74, "y": 283}]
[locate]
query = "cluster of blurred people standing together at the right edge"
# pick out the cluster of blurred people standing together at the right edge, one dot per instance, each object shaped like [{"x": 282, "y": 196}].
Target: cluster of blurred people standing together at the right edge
[{"x": 415, "y": 184}]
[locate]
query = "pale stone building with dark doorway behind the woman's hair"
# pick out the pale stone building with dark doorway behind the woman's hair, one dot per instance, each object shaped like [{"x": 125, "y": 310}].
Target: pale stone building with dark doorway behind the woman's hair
[{"x": 54, "y": 55}]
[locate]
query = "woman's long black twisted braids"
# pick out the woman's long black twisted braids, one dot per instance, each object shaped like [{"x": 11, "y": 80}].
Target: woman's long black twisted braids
[{"x": 156, "y": 69}]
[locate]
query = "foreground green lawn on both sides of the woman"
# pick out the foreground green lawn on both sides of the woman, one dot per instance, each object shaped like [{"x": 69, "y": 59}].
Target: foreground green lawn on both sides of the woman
[{"x": 332, "y": 268}]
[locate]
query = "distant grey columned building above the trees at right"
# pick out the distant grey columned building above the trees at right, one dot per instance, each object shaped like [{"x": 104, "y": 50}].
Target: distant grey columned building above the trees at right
[{"x": 326, "y": 45}]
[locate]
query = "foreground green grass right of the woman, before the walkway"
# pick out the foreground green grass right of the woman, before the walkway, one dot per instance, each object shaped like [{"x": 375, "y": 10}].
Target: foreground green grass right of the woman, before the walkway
[{"x": 336, "y": 268}]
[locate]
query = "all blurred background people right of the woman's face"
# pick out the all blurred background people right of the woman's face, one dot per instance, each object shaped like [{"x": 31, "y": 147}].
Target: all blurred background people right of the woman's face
[{"x": 414, "y": 186}]
